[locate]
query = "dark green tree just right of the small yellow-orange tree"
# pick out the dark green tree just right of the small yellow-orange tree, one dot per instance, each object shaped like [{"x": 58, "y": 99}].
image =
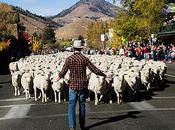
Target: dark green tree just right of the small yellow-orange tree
[{"x": 48, "y": 36}]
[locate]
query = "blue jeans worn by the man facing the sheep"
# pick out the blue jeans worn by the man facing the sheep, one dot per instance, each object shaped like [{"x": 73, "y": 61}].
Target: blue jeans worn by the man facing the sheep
[{"x": 73, "y": 97}]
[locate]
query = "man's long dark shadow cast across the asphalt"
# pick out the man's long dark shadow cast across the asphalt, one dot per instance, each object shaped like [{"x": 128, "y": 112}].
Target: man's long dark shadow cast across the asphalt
[{"x": 113, "y": 119}]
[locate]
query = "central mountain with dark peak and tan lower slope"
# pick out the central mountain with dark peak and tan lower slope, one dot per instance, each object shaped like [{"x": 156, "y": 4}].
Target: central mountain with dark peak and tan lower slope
[{"x": 84, "y": 10}]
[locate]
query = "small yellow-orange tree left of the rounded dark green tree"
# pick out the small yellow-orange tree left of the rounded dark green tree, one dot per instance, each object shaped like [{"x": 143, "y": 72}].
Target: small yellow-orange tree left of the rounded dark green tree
[{"x": 36, "y": 45}]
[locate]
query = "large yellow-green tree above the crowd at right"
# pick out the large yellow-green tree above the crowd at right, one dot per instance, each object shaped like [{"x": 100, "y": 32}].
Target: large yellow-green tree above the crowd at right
[{"x": 139, "y": 18}]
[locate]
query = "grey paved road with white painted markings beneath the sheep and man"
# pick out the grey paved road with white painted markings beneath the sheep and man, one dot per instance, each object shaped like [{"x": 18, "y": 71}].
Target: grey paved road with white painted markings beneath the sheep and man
[{"x": 156, "y": 113}]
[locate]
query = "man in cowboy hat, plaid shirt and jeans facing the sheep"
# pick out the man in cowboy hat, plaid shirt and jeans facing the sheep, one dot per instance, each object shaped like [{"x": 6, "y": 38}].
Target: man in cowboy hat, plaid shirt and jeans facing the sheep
[{"x": 76, "y": 64}]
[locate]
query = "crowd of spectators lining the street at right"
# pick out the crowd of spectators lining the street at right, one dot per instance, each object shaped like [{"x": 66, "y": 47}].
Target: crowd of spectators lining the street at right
[{"x": 158, "y": 52}]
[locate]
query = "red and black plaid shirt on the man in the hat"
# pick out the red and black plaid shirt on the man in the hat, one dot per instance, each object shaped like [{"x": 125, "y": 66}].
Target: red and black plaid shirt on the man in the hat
[{"x": 77, "y": 64}]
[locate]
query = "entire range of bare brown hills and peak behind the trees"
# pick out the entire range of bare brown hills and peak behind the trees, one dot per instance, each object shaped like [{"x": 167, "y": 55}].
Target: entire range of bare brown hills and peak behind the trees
[{"x": 72, "y": 22}]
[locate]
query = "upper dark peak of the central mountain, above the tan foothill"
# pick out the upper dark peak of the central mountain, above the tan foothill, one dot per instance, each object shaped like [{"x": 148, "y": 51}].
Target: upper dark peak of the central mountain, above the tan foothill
[{"x": 91, "y": 9}]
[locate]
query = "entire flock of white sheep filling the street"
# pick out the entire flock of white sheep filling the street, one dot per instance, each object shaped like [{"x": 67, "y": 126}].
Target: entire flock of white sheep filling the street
[{"x": 38, "y": 72}]
